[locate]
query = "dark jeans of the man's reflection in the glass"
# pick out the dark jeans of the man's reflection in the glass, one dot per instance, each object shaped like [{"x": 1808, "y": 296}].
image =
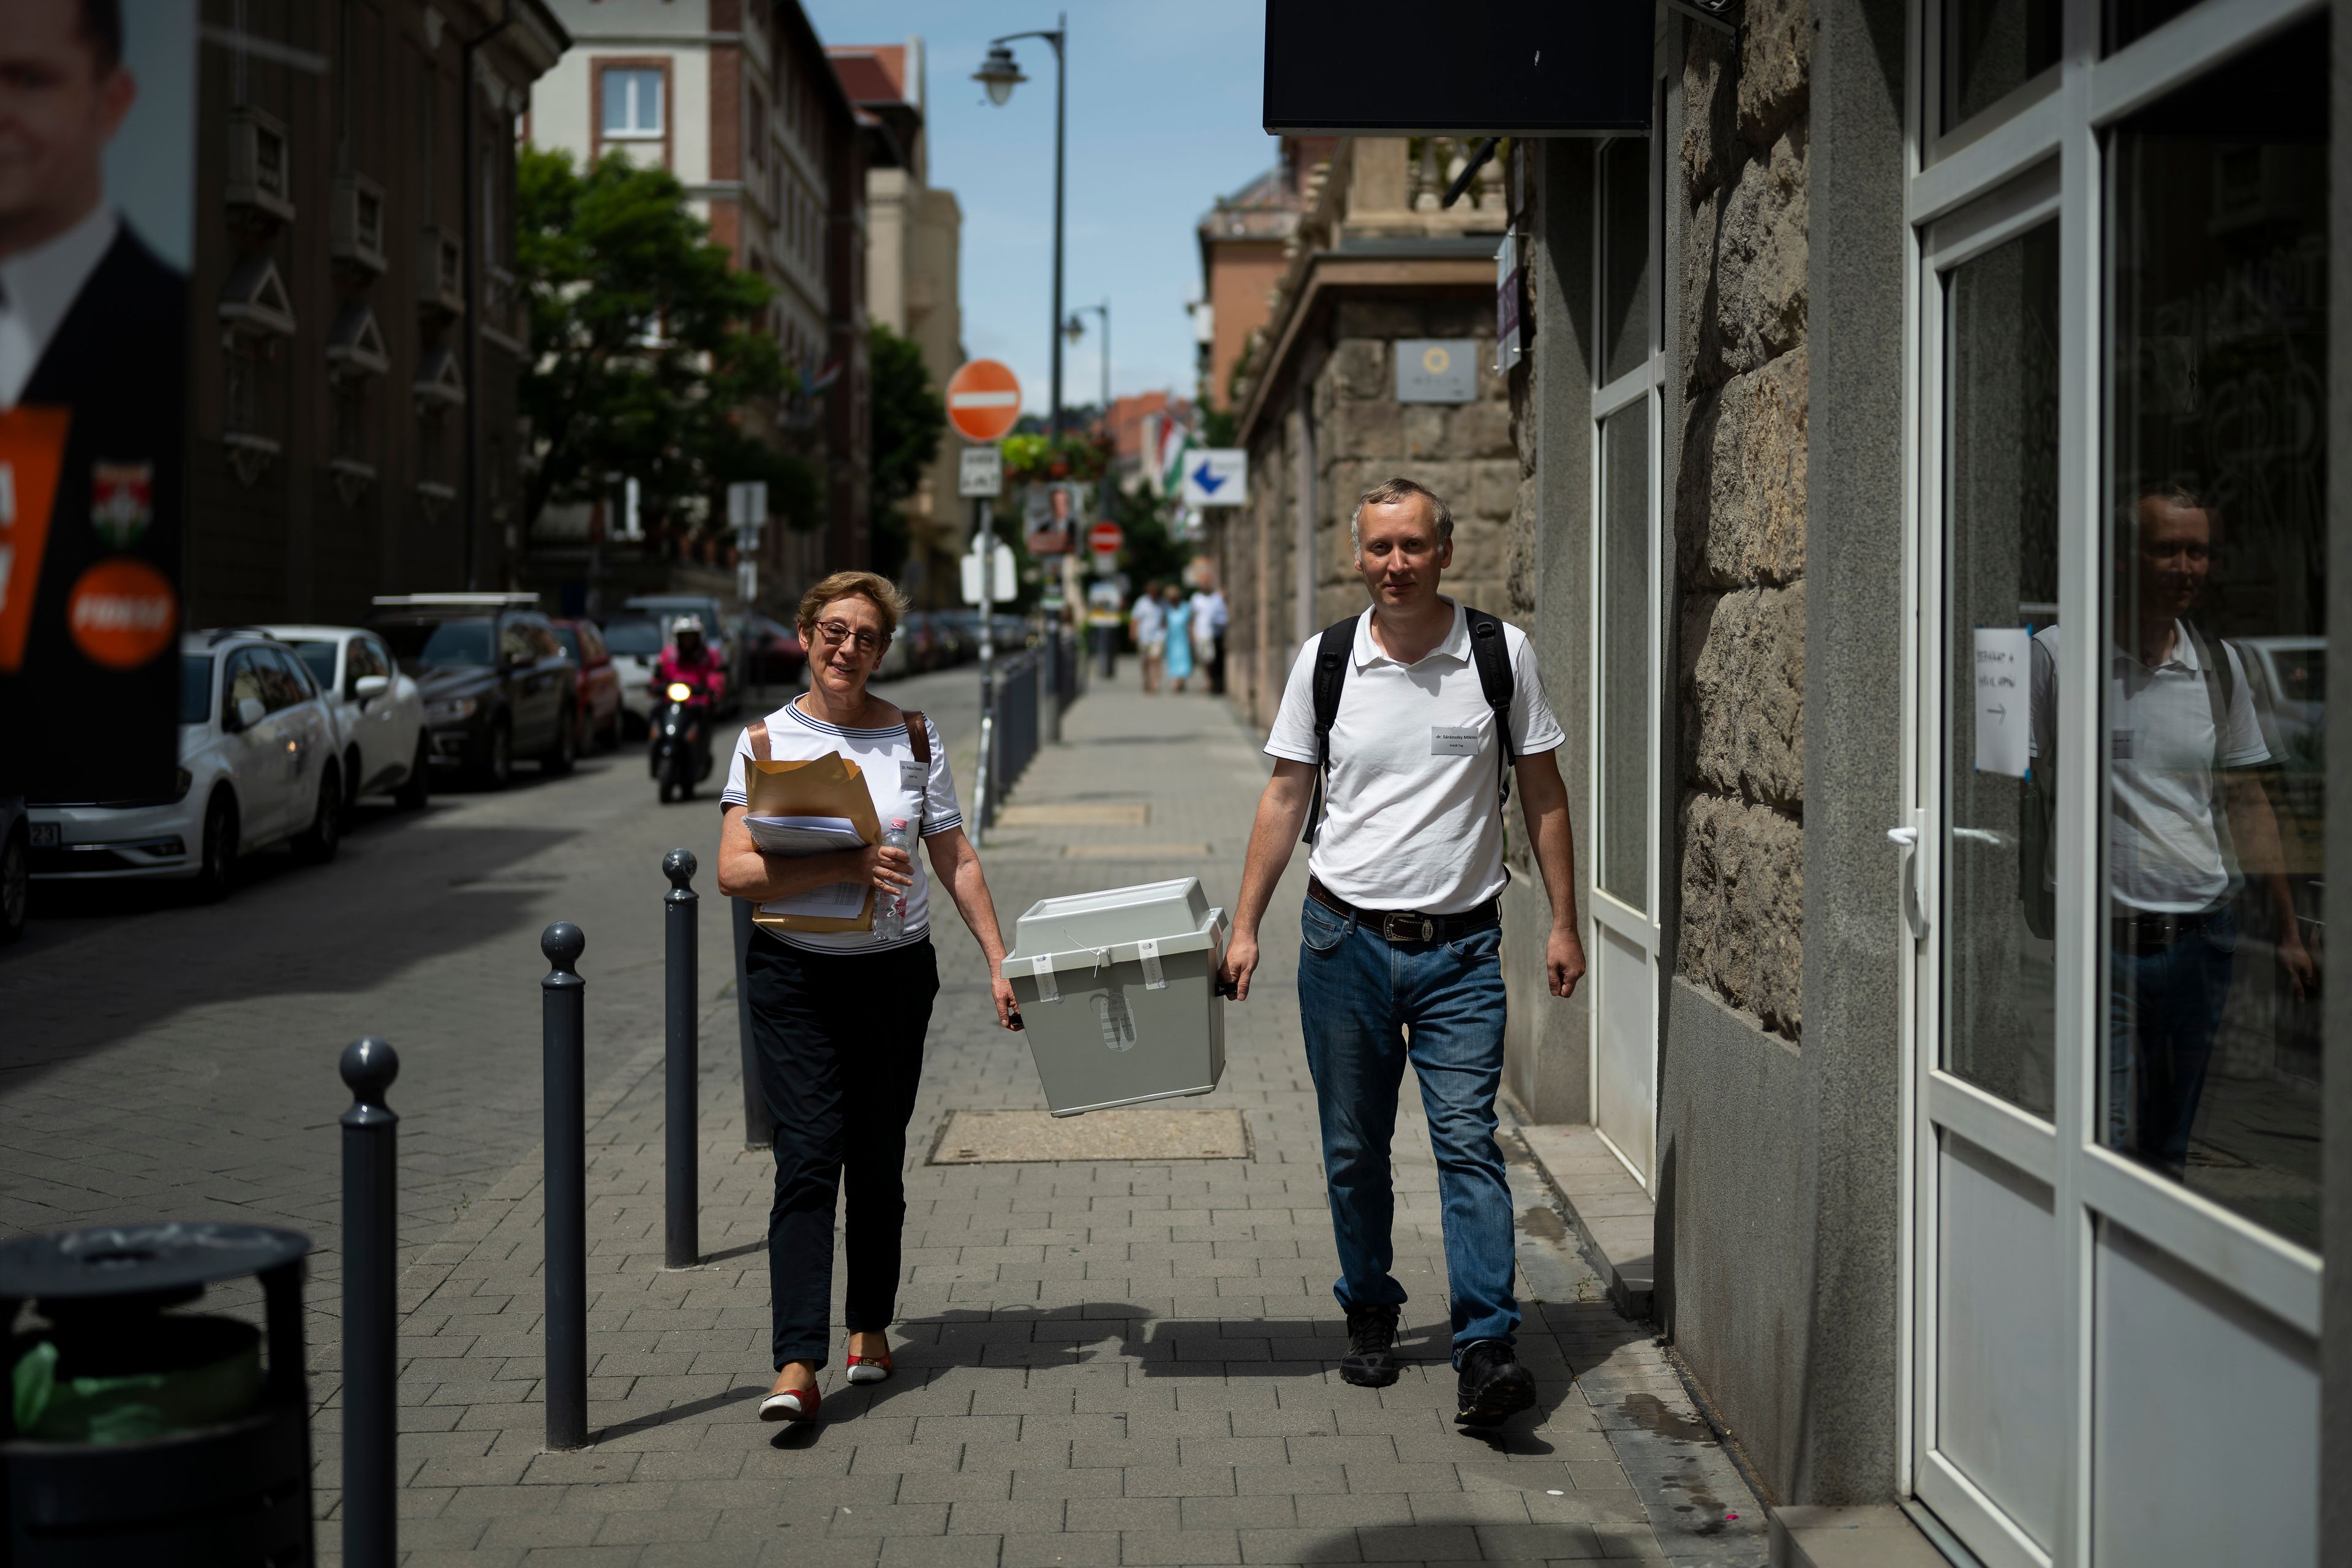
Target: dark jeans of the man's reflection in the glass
[{"x": 2163, "y": 1014}]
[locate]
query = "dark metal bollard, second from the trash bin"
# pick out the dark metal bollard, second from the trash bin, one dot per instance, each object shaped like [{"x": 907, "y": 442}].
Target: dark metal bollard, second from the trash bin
[{"x": 563, "y": 1043}]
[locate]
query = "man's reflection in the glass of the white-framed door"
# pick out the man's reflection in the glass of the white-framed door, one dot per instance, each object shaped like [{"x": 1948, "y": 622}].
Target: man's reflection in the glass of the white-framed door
[{"x": 2189, "y": 824}]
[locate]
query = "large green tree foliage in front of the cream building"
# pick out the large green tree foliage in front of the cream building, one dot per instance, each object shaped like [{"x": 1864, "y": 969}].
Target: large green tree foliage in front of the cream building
[{"x": 648, "y": 349}]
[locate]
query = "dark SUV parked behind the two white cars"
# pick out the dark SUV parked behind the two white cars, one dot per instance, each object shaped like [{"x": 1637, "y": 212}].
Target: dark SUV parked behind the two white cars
[{"x": 495, "y": 681}]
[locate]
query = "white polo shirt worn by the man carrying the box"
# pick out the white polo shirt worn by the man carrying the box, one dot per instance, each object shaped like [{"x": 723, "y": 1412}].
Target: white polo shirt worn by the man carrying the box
[{"x": 1410, "y": 817}]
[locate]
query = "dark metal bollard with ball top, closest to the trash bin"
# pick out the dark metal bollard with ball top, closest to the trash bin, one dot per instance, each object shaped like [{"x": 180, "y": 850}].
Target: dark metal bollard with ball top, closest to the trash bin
[{"x": 370, "y": 1325}]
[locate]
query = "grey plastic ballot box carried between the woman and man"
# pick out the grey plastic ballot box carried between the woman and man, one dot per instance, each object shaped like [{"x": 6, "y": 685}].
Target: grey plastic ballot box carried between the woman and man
[{"x": 1118, "y": 993}]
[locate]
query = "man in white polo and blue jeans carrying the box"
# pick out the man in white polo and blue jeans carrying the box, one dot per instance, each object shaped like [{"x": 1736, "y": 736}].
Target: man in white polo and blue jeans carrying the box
[{"x": 1412, "y": 721}]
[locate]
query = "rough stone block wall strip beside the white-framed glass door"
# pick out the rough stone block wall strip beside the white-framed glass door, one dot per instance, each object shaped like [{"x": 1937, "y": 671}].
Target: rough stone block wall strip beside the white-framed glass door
[{"x": 1739, "y": 509}]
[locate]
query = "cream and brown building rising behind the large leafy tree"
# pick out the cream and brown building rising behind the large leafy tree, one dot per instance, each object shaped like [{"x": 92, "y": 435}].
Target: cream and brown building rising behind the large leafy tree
[{"x": 740, "y": 102}]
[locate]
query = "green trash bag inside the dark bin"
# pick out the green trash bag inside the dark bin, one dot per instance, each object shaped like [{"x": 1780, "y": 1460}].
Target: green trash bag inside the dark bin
[{"x": 149, "y": 1379}]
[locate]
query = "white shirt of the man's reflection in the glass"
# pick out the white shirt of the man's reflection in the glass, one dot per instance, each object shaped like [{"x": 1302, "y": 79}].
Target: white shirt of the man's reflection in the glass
[{"x": 2165, "y": 852}]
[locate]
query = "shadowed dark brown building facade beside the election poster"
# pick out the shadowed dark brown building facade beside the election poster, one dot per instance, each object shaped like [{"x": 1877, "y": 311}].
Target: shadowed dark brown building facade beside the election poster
[{"x": 359, "y": 326}]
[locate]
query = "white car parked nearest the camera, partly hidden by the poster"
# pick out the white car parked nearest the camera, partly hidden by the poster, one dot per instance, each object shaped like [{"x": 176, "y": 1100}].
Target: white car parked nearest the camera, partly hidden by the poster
[{"x": 260, "y": 763}]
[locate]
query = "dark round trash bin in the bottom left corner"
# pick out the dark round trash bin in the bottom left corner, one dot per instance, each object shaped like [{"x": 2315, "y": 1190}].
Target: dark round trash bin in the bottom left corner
[{"x": 142, "y": 1435}]
